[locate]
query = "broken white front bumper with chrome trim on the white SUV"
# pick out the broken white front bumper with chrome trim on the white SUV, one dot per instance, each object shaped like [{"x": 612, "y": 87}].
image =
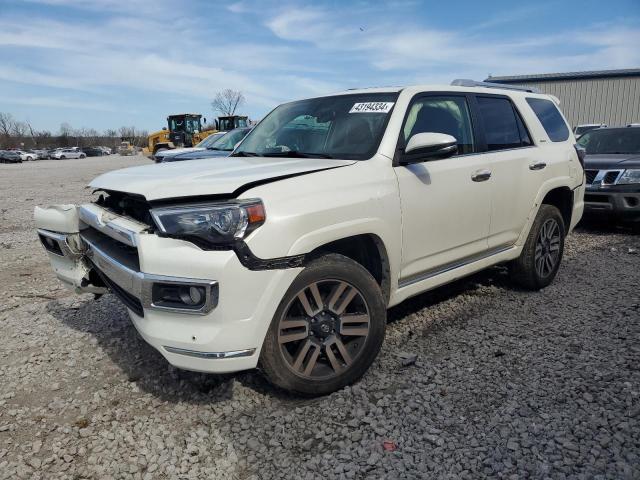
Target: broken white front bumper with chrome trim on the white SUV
[{"x": 93, "y": 250}]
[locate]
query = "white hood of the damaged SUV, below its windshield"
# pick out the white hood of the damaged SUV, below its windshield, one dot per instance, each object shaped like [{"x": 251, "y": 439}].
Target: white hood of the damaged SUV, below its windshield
[{"x": 215, "y": 176}]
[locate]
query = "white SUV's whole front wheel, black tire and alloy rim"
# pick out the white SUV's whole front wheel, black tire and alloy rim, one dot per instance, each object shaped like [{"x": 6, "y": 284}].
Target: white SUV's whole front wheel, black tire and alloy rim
[{"x": 327, "y": 330}]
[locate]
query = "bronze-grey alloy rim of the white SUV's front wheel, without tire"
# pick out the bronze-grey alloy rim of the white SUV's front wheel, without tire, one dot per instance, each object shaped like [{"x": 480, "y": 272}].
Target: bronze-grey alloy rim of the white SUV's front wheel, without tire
[{"x": 323, "y": 329}]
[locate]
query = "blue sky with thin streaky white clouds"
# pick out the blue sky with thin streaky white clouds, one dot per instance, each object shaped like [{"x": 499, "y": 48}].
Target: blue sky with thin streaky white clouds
[{"x": 108, "y": 63}]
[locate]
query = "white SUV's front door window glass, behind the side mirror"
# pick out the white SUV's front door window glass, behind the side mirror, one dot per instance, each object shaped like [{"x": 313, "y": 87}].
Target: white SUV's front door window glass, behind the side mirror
[{"x": 444, "y": 114}]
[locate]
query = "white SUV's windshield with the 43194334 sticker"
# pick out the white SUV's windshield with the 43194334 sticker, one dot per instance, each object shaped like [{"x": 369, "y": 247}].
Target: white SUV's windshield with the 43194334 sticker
[{"x": 345, "y": 126}]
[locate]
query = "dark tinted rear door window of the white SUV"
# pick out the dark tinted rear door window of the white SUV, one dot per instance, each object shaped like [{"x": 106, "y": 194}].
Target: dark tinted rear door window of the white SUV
[{"x": 503, "y": 128}]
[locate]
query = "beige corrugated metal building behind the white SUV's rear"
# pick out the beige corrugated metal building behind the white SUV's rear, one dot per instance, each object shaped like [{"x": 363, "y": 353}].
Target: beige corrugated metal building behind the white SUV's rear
[{"x": 604, "y": 96}]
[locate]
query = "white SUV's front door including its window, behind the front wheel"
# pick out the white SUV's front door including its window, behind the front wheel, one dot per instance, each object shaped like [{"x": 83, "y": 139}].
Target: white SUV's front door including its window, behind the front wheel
[{"x": 445, "y": 203}]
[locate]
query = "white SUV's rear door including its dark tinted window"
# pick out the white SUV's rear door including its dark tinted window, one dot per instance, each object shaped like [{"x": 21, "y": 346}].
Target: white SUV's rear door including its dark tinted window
[{"x": 516, "y": 171}]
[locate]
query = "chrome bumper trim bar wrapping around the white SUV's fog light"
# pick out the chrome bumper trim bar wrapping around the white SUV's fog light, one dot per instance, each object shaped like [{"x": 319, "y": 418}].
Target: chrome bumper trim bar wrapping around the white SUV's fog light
[{"x": 140, "y": 284}]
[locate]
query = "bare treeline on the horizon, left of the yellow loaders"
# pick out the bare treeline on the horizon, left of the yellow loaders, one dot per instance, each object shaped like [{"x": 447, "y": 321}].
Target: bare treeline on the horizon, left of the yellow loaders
[{"x": 21, "y": 134}]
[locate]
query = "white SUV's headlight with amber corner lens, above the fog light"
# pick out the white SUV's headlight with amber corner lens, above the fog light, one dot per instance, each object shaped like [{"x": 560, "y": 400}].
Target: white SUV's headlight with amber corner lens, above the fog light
[{"x": 213, "y": 224}]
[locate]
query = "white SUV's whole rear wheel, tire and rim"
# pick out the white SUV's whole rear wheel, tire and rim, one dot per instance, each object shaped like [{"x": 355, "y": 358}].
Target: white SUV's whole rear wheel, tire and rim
[{"x": 538, "y": 264}]
